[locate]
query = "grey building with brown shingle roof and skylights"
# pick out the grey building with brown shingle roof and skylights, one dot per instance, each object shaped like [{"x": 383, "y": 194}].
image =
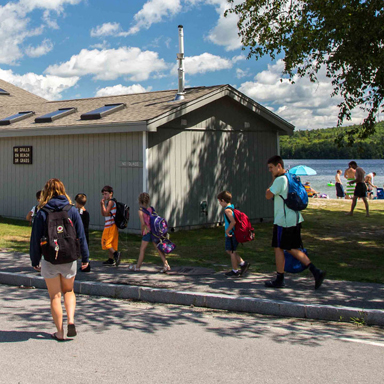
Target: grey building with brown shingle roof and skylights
[{"x": 182, "y": 152}]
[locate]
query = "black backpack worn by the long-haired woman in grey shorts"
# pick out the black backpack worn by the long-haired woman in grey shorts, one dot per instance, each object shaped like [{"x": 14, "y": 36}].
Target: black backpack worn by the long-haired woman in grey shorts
[{"x": 59, "y": 244}]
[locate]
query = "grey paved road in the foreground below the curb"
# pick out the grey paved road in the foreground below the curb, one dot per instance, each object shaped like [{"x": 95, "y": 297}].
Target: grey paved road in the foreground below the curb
[{"x": 124, "y": 341}]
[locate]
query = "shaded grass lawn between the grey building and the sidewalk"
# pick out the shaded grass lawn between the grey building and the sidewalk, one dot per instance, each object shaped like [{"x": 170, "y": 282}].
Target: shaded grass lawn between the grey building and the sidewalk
[{"x": 349, "y": 248}]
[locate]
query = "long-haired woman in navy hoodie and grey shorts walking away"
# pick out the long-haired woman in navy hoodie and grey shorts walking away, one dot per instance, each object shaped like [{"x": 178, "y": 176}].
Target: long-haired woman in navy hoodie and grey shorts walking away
[{"x": 58, "y": 235}]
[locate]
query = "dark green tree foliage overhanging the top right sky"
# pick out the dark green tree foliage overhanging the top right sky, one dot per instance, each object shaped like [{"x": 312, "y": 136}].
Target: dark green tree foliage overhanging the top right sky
[{"x": 344, "y": 36}]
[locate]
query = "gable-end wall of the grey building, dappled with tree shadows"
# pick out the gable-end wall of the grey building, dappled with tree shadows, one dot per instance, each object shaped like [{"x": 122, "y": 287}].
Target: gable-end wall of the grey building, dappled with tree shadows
[{"x": 192, "y": 163}]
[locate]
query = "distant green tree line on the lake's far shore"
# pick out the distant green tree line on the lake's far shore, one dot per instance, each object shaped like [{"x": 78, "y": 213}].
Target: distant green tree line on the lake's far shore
[{"x": 320, "y": 144}]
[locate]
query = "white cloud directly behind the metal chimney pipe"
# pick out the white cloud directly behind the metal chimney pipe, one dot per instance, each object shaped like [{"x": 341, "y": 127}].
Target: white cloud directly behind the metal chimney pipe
[{"x": 203, "y": 63}]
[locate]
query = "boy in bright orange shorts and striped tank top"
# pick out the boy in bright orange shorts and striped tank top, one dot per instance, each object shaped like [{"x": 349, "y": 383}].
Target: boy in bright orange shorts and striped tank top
[{"x": 110, "y": 236}]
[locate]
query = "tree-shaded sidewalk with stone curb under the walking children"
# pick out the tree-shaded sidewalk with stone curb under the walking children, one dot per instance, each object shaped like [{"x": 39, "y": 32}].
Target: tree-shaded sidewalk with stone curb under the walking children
[{"x": 335, "y": 300}]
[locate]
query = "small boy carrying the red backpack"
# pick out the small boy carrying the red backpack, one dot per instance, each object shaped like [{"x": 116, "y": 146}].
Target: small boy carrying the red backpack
[{"x": 239, "y": 266}]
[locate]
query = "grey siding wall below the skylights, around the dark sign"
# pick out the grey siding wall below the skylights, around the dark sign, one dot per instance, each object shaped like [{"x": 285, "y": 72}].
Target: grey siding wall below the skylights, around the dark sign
[{"x": 85, "y": 163}]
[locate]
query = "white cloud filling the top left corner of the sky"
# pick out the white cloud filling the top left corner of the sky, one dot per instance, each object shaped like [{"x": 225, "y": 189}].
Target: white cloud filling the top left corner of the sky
[{"x": 15, "y": 28}]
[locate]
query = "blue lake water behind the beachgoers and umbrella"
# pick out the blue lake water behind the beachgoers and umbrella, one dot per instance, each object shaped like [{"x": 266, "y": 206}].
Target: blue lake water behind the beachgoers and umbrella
[{"x": 326, "y": 171}]
